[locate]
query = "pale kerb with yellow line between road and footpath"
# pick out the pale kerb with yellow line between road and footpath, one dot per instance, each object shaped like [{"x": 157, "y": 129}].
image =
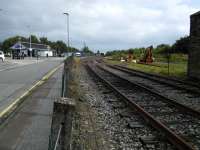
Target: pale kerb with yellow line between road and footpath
[{"x": 16, "y": 103}]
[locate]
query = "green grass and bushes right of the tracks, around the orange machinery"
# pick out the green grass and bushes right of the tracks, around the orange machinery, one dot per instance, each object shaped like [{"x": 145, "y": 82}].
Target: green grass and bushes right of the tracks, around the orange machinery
[{"x": 177, "y": 54}]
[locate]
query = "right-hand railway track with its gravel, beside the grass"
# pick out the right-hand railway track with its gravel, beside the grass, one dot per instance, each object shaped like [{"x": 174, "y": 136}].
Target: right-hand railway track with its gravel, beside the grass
[{"x": 177, "y": 90}]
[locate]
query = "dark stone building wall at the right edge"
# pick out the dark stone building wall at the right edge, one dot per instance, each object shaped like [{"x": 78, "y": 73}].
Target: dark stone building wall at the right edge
[{"x": 194, "y": 51}]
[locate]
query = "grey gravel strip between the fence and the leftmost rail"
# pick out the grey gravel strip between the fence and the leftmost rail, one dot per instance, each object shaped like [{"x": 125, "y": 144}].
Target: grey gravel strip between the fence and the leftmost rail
[{"x": 123, "y": 128}]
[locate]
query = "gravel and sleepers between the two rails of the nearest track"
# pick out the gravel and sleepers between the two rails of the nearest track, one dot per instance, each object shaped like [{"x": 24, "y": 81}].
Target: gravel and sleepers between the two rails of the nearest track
[{"x": 167, "y": 114}]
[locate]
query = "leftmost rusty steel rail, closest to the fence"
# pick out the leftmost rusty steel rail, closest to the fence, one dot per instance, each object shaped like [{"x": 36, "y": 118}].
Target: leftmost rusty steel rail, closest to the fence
[{"x": 176, "y": 140}]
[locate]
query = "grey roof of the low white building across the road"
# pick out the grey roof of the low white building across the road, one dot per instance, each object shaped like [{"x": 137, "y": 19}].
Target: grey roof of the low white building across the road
[{"x": 26, "y": 45}]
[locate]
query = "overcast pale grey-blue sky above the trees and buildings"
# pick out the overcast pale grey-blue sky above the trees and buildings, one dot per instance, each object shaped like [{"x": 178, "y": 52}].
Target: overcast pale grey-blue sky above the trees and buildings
[{"x": 102, "y": 24}]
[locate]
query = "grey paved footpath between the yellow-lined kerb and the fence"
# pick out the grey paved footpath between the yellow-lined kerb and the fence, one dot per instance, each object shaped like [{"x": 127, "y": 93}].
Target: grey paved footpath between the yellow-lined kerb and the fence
[{"x": 29, "y": 128}]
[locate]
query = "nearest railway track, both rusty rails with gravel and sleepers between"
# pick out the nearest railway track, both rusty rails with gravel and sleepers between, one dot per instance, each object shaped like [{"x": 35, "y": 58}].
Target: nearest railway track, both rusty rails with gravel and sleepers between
[{"x": 178, "y": 123}]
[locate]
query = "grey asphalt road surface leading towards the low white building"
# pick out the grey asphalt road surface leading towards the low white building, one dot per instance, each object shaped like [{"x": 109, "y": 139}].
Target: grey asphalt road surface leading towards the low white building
[{"x": 18, "y": 78}]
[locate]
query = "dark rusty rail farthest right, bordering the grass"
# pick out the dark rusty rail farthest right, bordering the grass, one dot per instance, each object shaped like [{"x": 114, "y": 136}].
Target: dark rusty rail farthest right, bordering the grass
[{"x": 152, "y": 77}]
